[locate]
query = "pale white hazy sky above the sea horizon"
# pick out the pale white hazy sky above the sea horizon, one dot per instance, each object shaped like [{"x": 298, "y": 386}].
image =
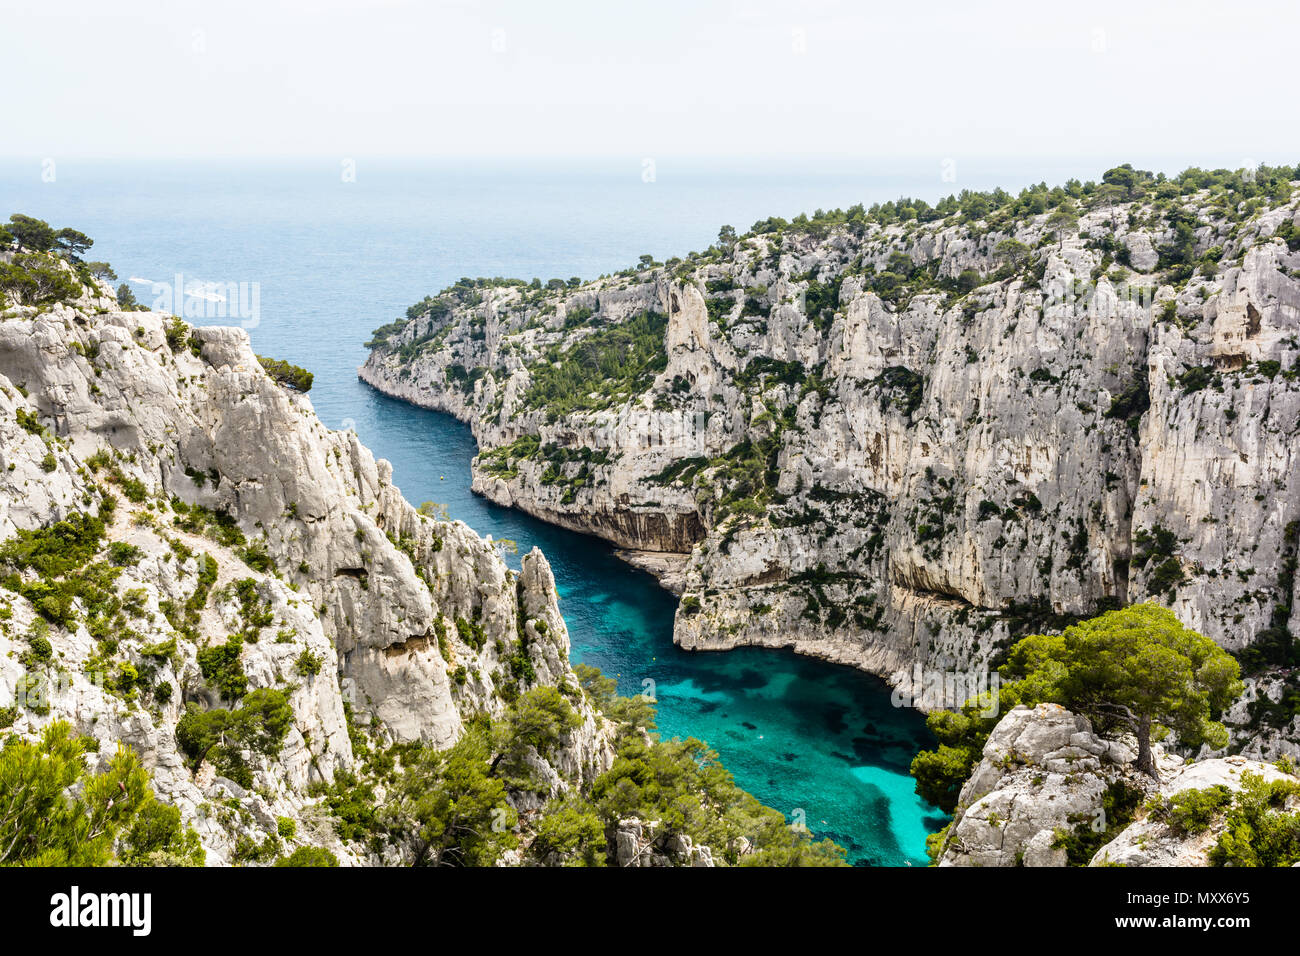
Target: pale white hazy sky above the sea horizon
[{"x": 1210, "y": 81}]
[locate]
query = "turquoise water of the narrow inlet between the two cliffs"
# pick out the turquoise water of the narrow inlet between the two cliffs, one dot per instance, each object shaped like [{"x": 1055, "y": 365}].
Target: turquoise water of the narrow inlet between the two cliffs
[{"x": 799, "y": 734}]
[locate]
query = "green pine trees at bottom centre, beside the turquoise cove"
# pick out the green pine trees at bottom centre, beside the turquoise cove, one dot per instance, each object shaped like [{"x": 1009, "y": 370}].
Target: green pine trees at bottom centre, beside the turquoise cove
[{"x": 457, "y": 808}]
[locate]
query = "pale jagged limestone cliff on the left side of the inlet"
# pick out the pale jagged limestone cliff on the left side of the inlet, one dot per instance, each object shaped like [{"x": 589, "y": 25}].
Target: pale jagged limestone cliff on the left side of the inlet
[{"x": 353, "y": 577}]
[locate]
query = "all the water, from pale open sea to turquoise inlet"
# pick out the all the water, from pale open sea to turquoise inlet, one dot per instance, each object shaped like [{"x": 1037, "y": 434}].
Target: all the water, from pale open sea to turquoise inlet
[{"x": 335, "y": 261}]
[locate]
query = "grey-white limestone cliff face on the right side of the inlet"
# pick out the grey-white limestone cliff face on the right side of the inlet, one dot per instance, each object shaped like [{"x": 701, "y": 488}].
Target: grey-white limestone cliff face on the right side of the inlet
[{"x": 942, "y": 473}]
